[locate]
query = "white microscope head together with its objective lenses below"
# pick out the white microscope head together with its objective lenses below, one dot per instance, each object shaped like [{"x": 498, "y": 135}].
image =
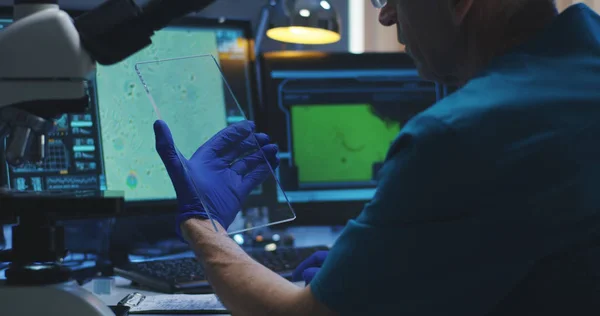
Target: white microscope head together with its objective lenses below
[{"x": 44, "y": 71}]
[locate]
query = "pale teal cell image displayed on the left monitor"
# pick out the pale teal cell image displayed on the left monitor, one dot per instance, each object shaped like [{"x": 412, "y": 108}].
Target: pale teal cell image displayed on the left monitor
[{"x": 127, "y": 116}]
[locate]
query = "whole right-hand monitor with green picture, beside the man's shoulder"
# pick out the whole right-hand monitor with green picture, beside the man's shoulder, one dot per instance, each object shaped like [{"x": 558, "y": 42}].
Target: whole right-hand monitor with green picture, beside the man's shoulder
[{"x": 334, "y": 117}]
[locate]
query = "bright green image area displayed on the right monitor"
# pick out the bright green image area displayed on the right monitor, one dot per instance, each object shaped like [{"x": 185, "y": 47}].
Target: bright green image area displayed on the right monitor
[{"x": 339, "y": 143}]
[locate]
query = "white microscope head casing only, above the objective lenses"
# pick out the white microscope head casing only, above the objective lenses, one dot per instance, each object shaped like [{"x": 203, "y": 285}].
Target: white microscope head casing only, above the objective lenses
[{"x": 43, "y": 60}]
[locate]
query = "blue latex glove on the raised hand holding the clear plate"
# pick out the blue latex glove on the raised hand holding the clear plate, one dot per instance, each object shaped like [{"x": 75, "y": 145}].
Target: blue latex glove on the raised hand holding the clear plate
[{"x": 218, "y": 172}]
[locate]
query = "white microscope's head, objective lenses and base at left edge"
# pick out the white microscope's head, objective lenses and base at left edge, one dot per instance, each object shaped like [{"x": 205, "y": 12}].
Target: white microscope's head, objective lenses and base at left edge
[{"x": 44, "y": 71}]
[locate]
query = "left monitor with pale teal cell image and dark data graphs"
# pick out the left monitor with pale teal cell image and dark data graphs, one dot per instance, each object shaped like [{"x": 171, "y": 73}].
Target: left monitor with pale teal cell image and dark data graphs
[{"x": 112, "y": 145}]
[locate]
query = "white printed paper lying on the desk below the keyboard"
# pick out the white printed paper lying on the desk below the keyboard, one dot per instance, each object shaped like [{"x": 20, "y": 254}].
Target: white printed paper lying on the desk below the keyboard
[{"x": 179, "y": 303}]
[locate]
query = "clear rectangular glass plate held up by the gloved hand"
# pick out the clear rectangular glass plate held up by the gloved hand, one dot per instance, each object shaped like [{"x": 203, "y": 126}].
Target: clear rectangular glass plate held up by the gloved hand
[{"x": 192, "y": 96}]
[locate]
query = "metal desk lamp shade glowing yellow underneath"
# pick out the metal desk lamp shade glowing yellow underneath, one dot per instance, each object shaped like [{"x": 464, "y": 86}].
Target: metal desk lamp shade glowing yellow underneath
[{"x": 305, "y": 22}]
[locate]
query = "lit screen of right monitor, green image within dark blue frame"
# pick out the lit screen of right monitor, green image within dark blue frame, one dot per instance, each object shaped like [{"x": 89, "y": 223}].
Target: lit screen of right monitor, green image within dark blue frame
[{"x": 339, "y": 126}]
